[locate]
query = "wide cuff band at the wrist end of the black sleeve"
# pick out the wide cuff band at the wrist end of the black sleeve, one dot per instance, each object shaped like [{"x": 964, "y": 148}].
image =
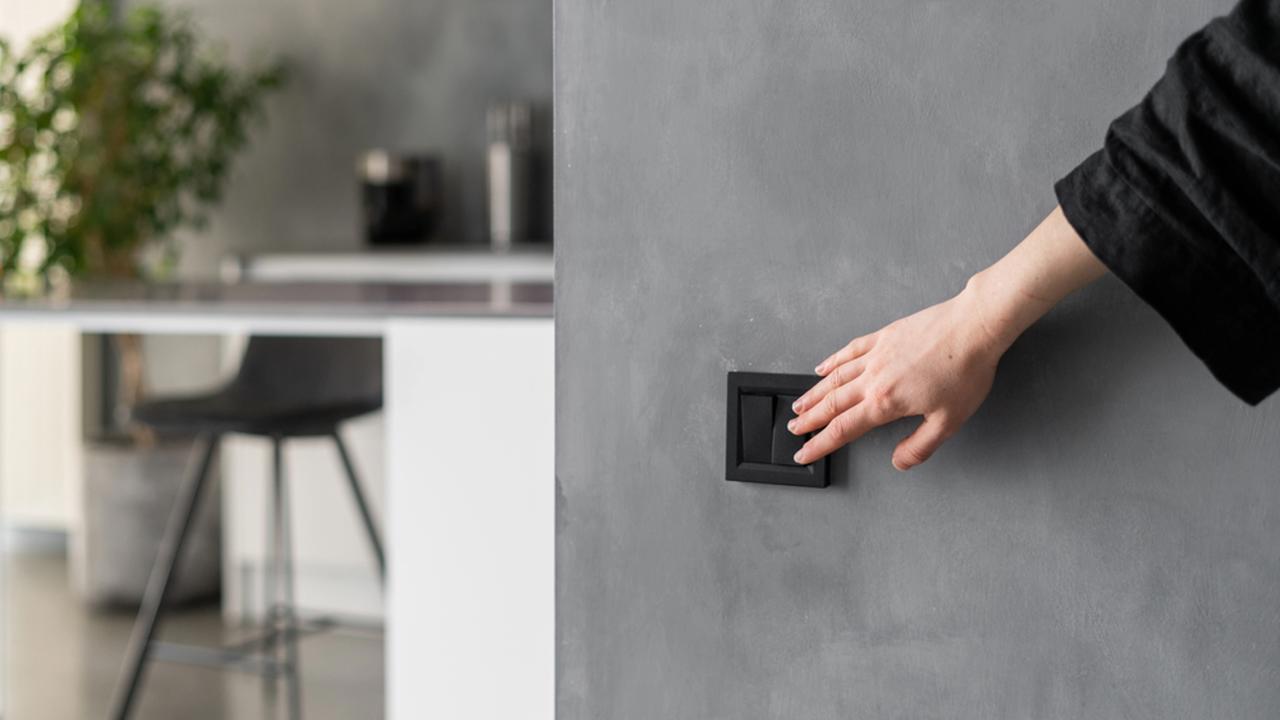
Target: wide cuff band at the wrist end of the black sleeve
[{"x": 1213, "y": 303}]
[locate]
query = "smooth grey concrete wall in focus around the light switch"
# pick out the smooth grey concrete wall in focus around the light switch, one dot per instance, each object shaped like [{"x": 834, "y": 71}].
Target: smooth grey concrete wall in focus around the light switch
[{"x": 747, "y": 185}]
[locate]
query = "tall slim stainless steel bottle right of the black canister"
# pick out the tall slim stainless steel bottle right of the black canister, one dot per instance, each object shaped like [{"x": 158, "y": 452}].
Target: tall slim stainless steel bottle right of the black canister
[{"x": 510, "y": 174}]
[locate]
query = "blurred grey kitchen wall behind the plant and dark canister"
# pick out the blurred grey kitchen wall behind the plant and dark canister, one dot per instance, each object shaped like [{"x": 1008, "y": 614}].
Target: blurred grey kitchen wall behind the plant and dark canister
[{"x": 406, "y": 75}]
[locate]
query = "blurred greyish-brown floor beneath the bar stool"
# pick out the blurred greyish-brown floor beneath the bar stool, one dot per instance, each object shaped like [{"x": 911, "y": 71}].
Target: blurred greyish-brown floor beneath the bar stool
[{"x": 65, "y": 660}]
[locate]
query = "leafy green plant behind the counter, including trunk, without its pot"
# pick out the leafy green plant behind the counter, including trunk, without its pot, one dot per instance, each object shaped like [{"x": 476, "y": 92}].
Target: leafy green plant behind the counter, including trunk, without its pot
[{"x": 115, "y": 134}]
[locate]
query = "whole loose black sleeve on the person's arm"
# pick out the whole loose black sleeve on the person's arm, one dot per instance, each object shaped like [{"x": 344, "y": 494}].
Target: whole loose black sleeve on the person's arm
[{"x": 1183, "y": 202}]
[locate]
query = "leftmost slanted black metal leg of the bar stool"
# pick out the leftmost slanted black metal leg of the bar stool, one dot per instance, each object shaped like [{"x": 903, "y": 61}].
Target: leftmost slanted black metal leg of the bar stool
[{"x": 163, "y": 575}]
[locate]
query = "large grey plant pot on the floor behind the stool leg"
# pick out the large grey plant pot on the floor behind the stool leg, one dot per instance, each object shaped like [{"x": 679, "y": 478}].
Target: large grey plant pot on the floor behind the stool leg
[{"x": 129, "y": 496}]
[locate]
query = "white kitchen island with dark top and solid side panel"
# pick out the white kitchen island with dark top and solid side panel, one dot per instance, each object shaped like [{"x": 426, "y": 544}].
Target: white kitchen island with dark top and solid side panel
[{"x": 469, "y": 462}]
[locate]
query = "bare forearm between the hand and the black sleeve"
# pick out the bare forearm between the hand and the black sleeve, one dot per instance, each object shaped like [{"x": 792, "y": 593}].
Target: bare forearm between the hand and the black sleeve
[{"x": 1052, "y": 263}]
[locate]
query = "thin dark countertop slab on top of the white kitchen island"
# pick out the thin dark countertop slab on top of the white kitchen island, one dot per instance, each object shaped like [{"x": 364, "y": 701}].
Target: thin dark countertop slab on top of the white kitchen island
[{"x": 305, "y": 299}]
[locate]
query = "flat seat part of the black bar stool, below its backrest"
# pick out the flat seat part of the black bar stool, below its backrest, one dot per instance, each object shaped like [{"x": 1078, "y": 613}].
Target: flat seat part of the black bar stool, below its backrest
[{"x": 226, "y": 413}]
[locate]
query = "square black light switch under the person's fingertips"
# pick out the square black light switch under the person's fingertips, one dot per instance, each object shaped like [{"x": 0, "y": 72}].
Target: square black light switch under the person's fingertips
[{"x": 756, "y": 454}]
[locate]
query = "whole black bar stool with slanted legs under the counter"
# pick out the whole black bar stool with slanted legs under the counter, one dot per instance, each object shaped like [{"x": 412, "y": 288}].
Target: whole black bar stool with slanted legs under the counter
[{"x": 286, "y": 388}]
